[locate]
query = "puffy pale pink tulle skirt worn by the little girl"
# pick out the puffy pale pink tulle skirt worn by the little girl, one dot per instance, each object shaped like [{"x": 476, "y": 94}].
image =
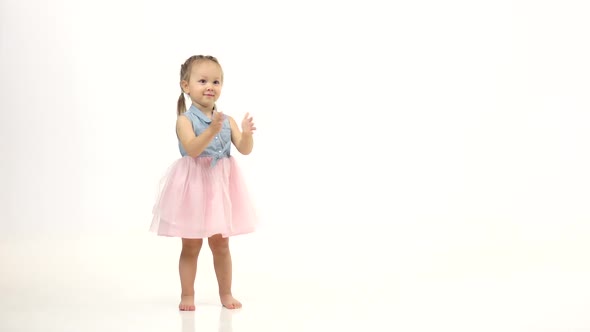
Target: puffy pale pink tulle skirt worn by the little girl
[{"x": 197, "y": 201}]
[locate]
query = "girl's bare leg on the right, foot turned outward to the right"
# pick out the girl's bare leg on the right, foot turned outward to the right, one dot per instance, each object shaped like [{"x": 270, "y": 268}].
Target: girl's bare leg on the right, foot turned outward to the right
[{"x": 223, "y": 270}]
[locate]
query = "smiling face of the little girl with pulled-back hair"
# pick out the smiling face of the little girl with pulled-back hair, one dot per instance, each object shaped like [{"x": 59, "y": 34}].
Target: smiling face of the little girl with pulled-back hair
[{"x": 204, "y": 85}]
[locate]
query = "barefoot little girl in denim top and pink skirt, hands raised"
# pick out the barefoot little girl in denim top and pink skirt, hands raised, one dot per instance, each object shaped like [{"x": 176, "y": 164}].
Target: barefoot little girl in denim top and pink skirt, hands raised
[{"x": 203, "y": 193}]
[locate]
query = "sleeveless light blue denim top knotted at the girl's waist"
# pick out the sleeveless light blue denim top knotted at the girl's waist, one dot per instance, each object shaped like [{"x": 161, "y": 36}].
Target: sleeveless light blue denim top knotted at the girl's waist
[{"x": 220, "y": 146}]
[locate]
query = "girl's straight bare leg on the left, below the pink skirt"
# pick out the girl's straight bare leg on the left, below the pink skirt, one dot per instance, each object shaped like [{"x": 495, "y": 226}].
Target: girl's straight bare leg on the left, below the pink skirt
[{"x": 187, "y": 267}]
